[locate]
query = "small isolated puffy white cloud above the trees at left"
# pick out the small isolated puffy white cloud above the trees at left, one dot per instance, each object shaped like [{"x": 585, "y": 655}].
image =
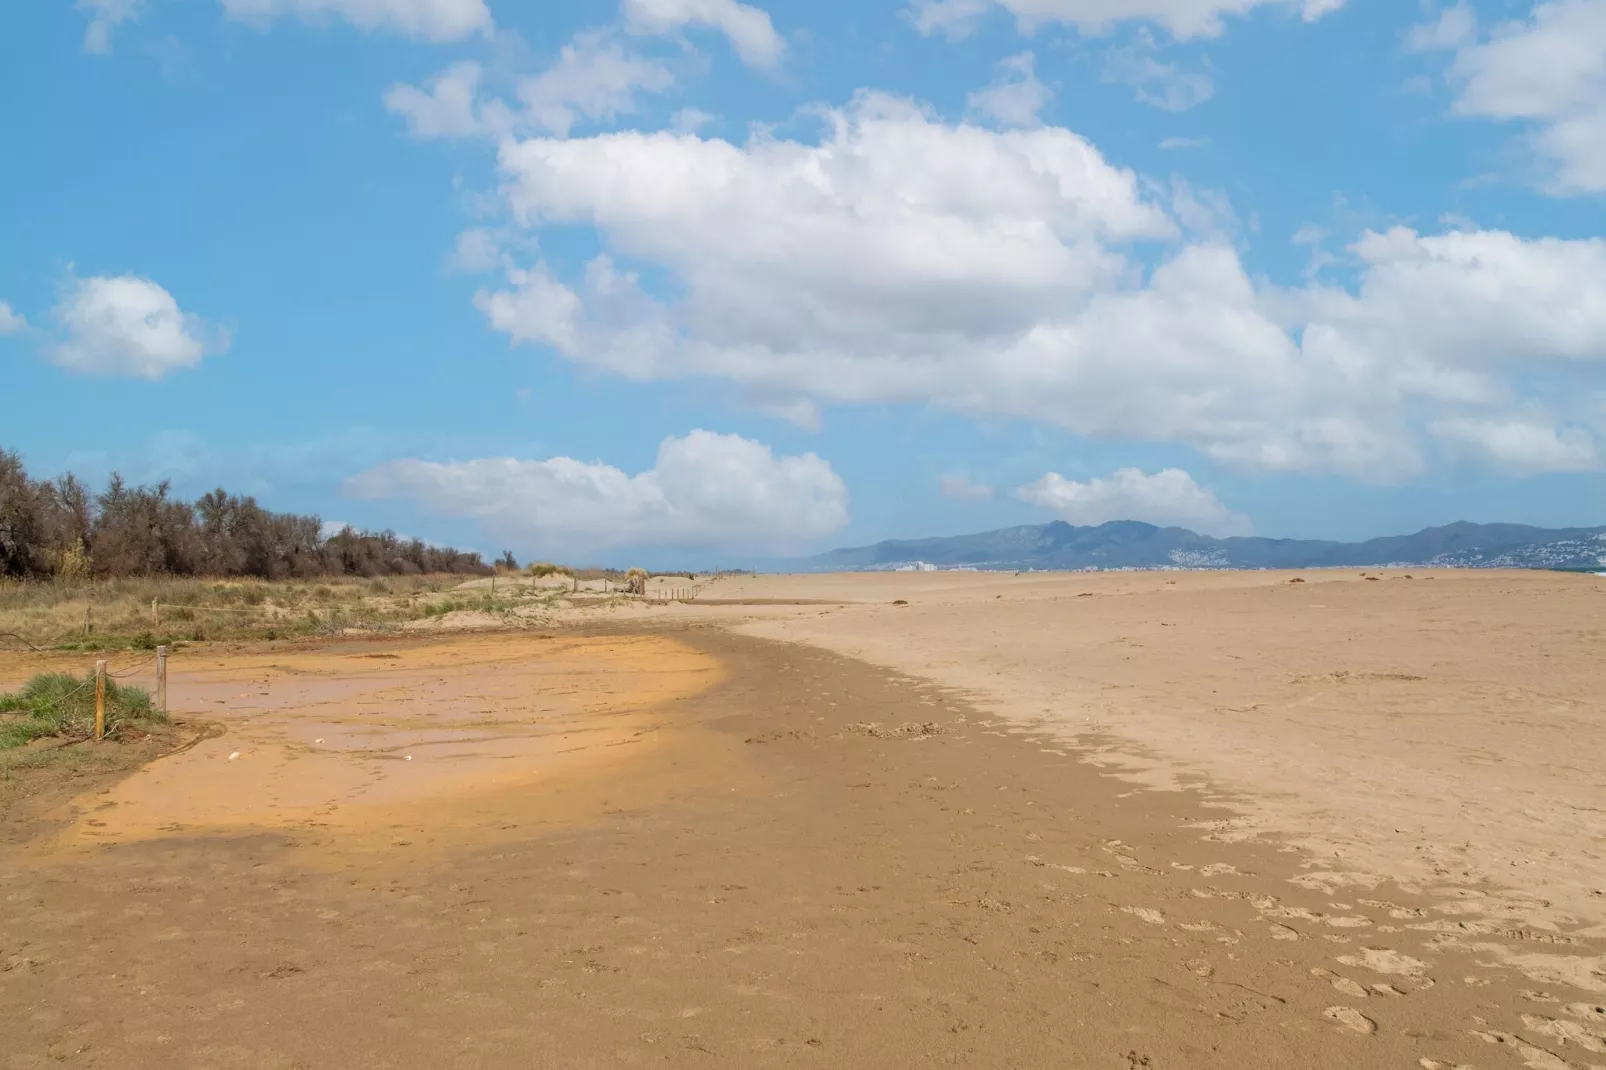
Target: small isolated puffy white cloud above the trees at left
[{"x": 129, "y": 327}]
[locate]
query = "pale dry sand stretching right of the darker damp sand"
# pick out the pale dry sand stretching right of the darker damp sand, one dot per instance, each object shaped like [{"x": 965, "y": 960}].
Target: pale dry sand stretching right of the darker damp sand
[{"x": 1440, "y": 729}]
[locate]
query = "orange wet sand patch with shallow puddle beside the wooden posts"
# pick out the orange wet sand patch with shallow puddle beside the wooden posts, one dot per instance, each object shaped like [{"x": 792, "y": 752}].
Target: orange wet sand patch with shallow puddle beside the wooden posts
[{"x": 356, "y": 740}]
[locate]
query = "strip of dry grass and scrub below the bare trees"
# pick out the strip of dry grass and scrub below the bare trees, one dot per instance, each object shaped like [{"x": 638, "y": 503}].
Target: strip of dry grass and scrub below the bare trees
[{"x": 116, "y": 615}]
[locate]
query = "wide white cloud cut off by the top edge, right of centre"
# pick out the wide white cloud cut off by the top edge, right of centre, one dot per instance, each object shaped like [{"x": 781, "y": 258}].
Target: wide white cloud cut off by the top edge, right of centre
[{"x": 1181, "y": 18}]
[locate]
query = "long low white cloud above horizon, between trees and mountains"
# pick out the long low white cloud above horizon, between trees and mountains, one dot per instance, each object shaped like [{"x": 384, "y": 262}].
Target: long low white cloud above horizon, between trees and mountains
[{"x": 706, "y": 492}]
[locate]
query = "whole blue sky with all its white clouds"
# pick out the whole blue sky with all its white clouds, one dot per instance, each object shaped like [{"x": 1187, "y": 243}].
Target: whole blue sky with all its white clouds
[{"x": 695, "y": 280}]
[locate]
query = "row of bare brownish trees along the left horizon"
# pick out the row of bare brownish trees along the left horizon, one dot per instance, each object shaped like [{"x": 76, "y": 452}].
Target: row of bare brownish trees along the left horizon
[{"x": 60, "y": 529}]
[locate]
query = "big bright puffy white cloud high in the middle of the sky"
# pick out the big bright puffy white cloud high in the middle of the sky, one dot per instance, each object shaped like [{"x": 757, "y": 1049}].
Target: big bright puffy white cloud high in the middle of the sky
[{"x": 895, "y": 223}]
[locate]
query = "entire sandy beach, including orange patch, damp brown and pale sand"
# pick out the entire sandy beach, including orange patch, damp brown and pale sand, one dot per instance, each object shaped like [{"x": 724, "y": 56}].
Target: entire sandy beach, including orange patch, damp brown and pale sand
[{"x": 1019, "y": 822}]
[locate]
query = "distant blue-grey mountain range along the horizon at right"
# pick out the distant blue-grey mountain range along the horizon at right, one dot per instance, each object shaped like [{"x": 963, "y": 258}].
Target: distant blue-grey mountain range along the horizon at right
[{"x": 1136, "y": 545}]
